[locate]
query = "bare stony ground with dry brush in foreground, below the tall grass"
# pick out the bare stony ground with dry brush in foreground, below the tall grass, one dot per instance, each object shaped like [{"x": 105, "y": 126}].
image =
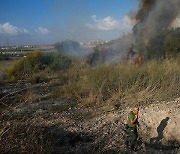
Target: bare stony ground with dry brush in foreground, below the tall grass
[{"x": 44, "y": 124}]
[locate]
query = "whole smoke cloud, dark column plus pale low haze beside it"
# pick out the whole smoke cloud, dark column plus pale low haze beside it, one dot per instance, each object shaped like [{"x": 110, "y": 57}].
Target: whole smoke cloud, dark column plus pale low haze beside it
[{"x": 153, "y": 17}]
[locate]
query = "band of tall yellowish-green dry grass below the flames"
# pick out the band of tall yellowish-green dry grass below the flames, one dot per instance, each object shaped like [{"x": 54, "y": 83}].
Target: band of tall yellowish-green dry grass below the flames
[{"x": 153, "y": 80}]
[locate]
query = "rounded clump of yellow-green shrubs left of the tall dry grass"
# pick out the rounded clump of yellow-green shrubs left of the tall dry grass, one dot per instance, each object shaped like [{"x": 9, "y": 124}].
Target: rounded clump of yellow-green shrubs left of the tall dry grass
[{"x": 36, "y": 62}]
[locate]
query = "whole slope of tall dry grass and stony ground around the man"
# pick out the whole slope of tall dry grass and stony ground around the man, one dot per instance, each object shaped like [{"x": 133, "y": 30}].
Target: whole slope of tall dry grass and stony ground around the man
[{"x": 84, "y": 109}]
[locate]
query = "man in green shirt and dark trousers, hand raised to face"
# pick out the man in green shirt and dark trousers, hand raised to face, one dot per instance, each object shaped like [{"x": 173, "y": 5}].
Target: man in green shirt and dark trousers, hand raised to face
[{"x": 132, "y": 124}]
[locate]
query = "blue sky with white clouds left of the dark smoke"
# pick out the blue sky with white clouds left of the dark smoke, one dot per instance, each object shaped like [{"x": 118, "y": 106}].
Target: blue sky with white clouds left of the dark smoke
[{"x": 49, "y": 21}]
